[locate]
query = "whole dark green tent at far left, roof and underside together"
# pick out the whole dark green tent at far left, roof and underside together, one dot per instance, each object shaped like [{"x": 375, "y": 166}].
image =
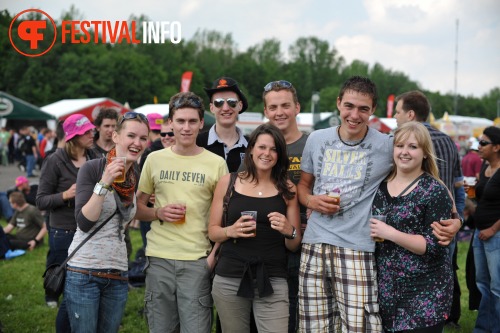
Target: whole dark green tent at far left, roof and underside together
[{"x": 15, "y": 110}]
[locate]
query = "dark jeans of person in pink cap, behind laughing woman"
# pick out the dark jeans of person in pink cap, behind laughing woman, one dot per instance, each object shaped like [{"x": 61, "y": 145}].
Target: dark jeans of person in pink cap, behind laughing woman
[{"x": 59, "y": 242}]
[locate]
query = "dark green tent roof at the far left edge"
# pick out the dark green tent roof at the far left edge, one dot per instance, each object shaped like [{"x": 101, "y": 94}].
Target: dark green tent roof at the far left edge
[{"x": 16, "y": 109}]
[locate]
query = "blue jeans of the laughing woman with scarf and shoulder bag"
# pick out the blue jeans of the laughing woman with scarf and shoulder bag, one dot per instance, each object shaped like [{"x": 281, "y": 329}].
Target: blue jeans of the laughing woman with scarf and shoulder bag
[{"x": 95, "y": 304}]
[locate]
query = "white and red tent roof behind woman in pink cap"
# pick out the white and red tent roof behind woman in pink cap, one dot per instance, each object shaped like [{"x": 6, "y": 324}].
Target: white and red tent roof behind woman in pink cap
[{"x": 89, "y": 107}]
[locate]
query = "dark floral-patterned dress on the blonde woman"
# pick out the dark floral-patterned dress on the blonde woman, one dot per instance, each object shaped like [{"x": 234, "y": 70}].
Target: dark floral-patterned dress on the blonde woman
[{"x": 415, "y": 291}]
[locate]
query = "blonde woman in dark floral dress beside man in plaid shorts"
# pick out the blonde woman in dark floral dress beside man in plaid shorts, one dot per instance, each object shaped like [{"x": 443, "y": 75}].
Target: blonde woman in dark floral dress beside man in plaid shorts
[{"x": 414, "y": 272}]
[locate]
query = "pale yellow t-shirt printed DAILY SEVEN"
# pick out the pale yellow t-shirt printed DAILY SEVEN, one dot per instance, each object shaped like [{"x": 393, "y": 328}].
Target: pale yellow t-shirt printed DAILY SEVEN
[{"x": 173, "y": 177}]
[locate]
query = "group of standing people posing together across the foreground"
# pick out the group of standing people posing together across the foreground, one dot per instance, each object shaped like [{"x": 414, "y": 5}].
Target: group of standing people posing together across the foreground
[{"x": 250, "y": 223}]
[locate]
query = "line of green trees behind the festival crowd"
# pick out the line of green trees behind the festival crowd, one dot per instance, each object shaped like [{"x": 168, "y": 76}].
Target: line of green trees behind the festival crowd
[{"x": 136, "y": 73}]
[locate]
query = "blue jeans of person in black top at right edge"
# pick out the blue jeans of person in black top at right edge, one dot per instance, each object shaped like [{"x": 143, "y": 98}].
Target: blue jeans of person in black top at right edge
[{"x": 487, "y": 260}]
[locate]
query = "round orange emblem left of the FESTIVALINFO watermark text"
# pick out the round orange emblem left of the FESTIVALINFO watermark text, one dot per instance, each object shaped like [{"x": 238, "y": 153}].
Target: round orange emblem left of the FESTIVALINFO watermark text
[{"x": 31, "y": 34}]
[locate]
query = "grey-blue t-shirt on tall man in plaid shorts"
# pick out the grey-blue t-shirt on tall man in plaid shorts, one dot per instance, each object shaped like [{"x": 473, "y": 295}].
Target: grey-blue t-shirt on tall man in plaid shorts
[{"x": 357, "y": 171}]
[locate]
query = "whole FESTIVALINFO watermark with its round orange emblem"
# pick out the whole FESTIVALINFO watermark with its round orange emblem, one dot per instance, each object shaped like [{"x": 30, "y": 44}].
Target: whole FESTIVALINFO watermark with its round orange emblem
[{"x": 35, "y": 37}]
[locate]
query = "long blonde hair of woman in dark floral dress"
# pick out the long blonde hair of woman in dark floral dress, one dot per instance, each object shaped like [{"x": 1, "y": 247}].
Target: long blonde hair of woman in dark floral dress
[{"x": 424, "y": 141}]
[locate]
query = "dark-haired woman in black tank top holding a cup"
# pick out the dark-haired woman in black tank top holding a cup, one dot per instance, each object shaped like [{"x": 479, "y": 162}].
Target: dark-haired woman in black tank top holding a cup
[{"x": 251, "y": 271}]
